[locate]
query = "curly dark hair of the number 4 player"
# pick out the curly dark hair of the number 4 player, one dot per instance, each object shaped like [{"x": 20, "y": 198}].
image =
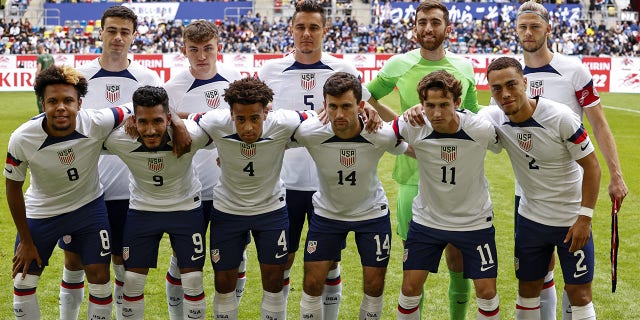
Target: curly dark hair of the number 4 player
[{"x": 248, "y": 91}]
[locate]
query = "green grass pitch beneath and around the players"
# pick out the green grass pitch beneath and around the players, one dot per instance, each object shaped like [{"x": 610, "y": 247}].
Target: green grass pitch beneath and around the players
[{"x": 623, "y": 113}]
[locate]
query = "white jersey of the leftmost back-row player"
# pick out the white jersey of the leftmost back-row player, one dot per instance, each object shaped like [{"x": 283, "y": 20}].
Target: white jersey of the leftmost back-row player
[{"x": 108, "y": 89}]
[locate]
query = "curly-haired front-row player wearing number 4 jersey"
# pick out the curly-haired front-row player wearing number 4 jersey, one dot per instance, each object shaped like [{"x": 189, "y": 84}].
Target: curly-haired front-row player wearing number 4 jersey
[{"x": 249, "y": 195}]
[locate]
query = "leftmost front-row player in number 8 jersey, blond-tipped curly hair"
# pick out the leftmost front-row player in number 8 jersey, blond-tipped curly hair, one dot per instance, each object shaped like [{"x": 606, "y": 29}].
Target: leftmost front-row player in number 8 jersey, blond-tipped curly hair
[{"x": 64, "y": 200}]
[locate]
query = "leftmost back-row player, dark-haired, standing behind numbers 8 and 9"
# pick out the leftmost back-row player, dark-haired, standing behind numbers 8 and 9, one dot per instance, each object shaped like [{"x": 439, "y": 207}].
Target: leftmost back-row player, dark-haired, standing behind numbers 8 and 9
[{"x": 112, "y": 80}]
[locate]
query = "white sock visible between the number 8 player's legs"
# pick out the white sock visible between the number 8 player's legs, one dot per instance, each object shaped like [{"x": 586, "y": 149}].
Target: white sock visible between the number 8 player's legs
[{"x": 71, "y": 293}]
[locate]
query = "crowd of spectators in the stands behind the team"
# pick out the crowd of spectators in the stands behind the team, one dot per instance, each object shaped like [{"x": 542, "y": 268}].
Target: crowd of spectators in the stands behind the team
[{"x": 256, "y": 34}]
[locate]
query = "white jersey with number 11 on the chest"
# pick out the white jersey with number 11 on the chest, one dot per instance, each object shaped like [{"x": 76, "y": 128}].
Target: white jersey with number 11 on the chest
[{"x": 453, "y": 192}]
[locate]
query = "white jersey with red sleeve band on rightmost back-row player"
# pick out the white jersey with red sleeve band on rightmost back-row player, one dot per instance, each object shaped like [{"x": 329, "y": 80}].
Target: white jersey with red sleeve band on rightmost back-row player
[{"x": 565, "y": 80}]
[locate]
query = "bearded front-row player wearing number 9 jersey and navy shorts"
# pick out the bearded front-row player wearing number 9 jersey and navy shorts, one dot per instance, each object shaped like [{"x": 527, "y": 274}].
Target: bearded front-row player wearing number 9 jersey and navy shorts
[{"x": 165, "y": 198}]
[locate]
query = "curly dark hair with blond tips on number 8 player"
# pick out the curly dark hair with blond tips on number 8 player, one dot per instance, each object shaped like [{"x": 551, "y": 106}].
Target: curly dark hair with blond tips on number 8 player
[{"x": 60, "y": 75}]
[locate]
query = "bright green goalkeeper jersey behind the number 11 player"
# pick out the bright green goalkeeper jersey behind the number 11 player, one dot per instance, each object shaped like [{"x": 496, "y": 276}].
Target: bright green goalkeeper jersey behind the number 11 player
[{"x": 404, "y": 72}]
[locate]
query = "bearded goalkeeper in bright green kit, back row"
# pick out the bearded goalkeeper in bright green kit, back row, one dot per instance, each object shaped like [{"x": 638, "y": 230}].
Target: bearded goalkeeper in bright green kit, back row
[{"x": 404, "y": 72}]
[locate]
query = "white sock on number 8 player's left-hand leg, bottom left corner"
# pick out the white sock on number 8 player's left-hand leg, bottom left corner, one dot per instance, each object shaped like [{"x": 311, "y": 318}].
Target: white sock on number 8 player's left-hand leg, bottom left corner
[{"x": 25, "y": 301}]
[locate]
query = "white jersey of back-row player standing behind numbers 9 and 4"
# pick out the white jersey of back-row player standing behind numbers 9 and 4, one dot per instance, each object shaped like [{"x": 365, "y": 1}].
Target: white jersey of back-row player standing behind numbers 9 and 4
[{"x": 188, "y": 94}]
